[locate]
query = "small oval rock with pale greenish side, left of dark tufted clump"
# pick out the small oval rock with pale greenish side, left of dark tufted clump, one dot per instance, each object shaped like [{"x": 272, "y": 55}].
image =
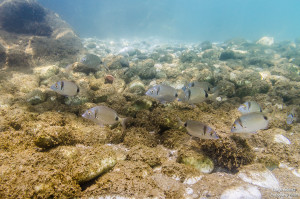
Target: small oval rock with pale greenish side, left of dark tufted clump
[{"x": 197, "y": 160}]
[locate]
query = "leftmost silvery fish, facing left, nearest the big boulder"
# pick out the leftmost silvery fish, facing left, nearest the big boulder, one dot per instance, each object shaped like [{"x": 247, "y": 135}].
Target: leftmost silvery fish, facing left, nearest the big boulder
[{"x": 66, "y": 88}]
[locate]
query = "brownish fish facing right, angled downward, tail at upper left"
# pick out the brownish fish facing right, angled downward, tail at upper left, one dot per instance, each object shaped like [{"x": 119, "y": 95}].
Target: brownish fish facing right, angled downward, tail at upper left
[{"x": 198, "y": 129}]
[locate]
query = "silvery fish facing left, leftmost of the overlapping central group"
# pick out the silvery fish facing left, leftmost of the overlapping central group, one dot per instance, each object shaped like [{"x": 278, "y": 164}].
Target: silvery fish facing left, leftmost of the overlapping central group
[{"x": 163, "y": 93}]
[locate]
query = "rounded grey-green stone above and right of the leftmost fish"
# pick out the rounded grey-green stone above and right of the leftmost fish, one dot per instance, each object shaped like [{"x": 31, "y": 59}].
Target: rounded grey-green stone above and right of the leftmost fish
[{"x": 90, "y": 63}]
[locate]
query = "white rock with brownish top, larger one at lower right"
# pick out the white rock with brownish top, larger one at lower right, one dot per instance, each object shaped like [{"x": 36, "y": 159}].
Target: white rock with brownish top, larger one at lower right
[{"x": 259, "y": 175}]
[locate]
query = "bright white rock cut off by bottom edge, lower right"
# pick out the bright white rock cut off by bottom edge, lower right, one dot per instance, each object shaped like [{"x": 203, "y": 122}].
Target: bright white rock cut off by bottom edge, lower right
[{"x": 245, "y": 192}]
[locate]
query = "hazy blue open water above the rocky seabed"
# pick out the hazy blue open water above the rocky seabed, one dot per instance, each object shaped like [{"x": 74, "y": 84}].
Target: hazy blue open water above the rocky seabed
[{"x": 188, "y": 20}]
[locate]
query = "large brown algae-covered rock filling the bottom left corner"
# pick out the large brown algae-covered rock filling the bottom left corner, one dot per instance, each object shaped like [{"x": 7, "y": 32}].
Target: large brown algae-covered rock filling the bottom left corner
[{"x": 32, "y": 174}]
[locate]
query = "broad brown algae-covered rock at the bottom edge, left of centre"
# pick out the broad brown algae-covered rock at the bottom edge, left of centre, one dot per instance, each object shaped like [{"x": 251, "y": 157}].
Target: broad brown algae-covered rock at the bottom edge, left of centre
[{"x": 129, "y": 179}]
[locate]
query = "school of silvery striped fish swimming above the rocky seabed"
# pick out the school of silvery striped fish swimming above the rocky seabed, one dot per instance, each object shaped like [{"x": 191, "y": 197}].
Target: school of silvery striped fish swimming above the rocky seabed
[{"x": 251, "y": 120}]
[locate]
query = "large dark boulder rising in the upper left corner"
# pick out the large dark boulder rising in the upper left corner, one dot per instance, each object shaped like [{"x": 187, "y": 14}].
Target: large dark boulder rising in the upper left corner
[{"x": 31, "y": 34}]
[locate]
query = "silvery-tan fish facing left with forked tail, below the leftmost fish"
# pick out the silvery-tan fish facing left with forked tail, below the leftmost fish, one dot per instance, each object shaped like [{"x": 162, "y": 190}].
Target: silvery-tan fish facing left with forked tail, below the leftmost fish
[{"x": 104, "y": 115}]
